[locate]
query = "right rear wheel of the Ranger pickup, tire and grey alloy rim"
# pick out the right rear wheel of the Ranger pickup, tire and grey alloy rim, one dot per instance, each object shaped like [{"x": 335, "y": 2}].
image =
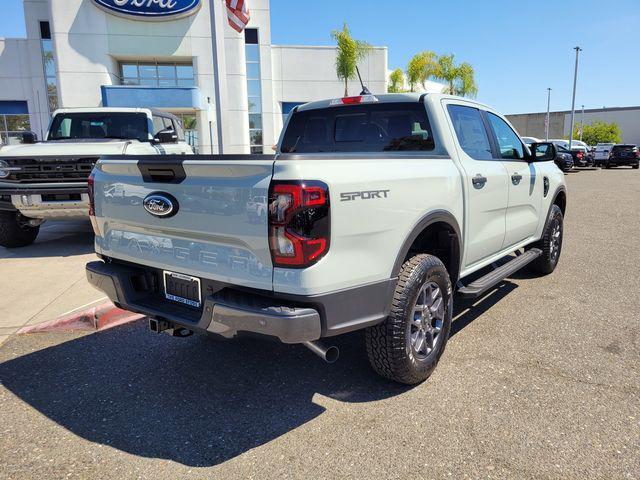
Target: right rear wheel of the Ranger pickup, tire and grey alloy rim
[{"x": 407, "y": 346}]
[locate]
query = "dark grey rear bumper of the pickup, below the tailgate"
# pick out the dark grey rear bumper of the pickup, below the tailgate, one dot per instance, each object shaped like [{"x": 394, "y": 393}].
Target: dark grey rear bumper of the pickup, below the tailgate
[{"x": 230, "y": 310}]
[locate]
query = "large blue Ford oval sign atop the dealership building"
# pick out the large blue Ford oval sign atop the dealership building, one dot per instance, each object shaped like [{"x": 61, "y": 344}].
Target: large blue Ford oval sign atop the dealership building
[{"x": 150, "y": 9}]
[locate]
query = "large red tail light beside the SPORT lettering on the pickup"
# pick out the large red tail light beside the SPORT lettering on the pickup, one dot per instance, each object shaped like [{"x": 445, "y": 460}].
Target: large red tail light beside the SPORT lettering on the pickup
[{"x": 299, "y": 228}]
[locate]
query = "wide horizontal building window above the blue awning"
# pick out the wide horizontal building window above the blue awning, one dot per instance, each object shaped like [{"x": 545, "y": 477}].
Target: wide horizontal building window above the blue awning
[{"x": 157, "y": 74}]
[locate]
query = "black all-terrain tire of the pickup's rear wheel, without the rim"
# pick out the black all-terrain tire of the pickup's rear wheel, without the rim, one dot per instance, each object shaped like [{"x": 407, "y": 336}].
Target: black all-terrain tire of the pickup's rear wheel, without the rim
[{"x": 389, "y": 345}]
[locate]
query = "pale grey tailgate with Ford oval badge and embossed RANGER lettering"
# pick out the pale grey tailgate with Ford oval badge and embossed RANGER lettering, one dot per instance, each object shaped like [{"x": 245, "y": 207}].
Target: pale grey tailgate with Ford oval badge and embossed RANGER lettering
[{"x": 217, "y": 230}]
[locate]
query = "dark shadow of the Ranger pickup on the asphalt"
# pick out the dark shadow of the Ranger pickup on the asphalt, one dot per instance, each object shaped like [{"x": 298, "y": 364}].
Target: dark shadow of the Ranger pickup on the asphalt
[{"x": 195, "y": 401}]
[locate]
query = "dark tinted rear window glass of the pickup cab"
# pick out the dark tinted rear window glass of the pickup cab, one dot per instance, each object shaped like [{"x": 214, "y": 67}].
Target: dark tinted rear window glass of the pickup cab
[{"x": 384, "y": 127}]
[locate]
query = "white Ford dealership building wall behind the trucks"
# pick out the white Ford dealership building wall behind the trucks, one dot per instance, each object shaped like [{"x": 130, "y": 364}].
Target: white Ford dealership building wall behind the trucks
[{"x": 89, "y": 44}]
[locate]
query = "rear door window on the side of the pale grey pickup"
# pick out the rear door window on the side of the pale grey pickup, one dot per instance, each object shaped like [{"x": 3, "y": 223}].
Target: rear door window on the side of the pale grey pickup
[{"x": 471, "y": 132}]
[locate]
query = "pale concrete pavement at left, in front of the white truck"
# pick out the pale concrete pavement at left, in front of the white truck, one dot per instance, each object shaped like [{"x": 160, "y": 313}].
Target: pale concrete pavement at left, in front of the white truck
[{"x": 47, "y": 279}]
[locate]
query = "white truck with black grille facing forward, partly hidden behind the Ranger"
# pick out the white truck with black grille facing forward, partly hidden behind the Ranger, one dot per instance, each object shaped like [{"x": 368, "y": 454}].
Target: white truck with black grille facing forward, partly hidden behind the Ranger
[{"x": 48, "y": 180}]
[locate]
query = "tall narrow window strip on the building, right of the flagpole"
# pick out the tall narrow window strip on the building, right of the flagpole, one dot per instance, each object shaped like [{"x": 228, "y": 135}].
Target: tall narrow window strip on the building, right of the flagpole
[{"x": 254, "y": 89}]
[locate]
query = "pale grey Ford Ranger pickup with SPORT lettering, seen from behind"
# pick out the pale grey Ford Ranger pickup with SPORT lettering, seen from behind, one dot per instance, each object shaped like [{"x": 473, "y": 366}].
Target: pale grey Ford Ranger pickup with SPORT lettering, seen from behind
[{"x": 378, "y": 209}]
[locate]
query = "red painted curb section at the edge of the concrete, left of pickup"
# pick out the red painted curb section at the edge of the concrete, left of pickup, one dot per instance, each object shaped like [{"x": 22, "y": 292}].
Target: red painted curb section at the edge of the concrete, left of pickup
[{"x": 100, "y": 317}]
